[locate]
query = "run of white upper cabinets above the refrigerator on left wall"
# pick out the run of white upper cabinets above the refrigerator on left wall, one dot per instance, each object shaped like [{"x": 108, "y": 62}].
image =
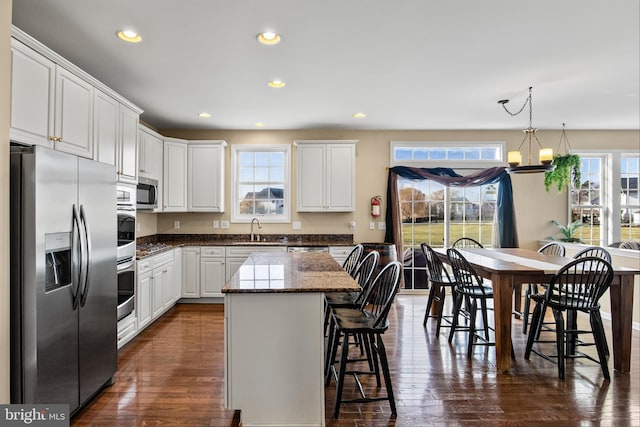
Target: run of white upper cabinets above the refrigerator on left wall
[{"x": 57, "y": 105}]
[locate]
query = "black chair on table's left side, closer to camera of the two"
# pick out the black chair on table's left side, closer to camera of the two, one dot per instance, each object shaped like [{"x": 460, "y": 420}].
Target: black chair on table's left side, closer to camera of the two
[{"x": 468, "y": 284}]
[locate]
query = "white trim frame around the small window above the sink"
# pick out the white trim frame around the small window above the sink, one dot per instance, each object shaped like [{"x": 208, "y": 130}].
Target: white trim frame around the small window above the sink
[{"x": 236, "y": 216}]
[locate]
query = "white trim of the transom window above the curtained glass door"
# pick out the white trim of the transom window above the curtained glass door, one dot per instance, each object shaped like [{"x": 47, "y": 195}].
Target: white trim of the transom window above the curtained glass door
[{"x": 453, "y": 164}]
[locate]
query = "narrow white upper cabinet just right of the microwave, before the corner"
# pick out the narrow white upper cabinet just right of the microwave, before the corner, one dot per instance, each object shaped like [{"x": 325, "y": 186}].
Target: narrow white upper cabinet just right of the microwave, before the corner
[{"x": 175, "y": 176}]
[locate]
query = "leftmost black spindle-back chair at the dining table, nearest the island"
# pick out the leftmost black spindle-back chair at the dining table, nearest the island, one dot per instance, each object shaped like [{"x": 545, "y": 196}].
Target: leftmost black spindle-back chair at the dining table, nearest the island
[{"x": 439, "y": 280}]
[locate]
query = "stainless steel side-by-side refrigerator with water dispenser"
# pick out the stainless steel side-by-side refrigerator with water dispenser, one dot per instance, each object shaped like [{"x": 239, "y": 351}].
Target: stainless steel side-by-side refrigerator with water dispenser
[{"x": 63, "y": 277}]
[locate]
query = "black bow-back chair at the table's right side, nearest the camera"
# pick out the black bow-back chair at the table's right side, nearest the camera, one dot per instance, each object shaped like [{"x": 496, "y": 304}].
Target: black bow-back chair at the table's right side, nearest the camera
[{"x": 576, "y": 287}]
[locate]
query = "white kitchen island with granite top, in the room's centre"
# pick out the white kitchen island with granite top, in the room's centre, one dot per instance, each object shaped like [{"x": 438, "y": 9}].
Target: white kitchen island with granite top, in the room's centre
[{"x": 274, "y": 337}]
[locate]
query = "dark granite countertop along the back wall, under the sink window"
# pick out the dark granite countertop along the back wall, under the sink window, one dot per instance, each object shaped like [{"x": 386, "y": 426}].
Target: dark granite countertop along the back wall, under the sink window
[{"x": 153, "y": 245}]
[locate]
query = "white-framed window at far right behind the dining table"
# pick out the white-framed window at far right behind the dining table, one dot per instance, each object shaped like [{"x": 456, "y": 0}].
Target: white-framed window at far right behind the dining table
[{"x": 607, "y": 200}]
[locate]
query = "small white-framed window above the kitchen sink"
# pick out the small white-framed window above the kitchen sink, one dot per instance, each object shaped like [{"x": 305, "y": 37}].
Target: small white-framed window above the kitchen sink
[{"x": 261, "y": 176}]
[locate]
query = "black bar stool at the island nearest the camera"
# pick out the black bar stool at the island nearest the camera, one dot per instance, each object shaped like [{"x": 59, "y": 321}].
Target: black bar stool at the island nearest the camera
[{"x": 368, "y": 322}]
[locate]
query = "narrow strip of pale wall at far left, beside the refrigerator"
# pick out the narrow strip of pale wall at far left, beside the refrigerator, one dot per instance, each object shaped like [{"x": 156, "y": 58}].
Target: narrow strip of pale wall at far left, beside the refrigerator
[{"x": 5, "y": 86}]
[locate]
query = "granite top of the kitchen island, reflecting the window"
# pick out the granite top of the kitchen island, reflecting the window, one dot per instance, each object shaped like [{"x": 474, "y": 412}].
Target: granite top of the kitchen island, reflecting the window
[{"x": 281, "y": 272}]
